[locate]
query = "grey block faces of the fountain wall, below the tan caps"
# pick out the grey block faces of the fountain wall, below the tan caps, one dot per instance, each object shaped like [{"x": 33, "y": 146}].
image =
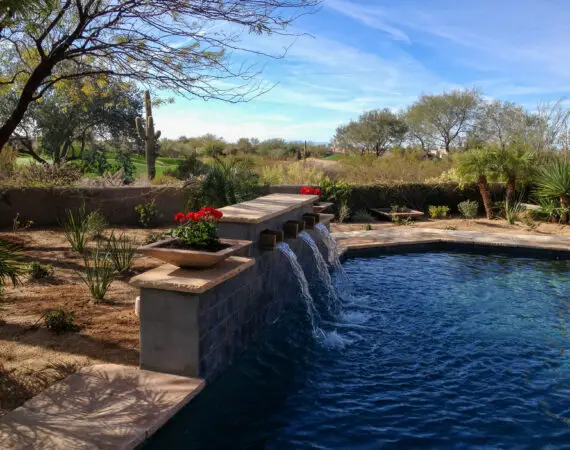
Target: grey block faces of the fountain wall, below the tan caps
[{"x": 199, "y": 335}]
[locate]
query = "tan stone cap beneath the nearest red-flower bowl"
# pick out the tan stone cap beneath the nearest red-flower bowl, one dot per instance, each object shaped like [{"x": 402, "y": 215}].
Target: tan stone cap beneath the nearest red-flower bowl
[{"x": 173, "y": 278}]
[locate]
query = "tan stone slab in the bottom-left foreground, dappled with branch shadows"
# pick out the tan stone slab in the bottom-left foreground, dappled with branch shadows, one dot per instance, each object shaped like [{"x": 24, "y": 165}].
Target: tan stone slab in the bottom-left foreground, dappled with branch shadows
[{"x": 106, "y": 406}]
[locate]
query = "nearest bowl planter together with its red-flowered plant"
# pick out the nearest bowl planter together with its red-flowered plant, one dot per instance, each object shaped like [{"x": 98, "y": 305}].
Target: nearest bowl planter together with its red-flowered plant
[{"x": 194, "y": 242}]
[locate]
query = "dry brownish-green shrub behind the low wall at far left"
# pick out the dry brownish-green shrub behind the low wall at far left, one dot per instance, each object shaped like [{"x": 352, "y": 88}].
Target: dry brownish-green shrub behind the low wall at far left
[{"x": 47, "y": 175}]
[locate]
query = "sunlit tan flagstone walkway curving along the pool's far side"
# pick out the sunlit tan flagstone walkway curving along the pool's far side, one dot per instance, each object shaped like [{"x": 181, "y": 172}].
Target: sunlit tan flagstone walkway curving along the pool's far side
[{"x": 393, "y": 237}]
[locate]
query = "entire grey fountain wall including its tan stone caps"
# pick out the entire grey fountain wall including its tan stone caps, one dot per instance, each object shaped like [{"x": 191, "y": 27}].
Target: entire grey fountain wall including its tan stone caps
[{"x": 195, "y": 323}]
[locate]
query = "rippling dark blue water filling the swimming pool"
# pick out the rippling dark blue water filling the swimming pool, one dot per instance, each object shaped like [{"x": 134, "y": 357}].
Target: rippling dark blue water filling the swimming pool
[{"x": 432, "y": 350}]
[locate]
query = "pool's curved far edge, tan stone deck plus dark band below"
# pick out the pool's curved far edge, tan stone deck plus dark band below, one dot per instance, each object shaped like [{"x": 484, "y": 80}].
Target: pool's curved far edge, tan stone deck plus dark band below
[{"x": 354, "y": 243}]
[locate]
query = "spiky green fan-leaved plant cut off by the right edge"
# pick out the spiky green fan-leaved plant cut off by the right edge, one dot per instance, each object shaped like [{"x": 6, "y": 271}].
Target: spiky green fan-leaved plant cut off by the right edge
[{"x": 553, "y": 181}]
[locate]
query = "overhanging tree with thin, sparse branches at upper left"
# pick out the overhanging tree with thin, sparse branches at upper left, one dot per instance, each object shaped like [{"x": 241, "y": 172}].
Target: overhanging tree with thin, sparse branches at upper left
[{"x": 177, "y": 45}]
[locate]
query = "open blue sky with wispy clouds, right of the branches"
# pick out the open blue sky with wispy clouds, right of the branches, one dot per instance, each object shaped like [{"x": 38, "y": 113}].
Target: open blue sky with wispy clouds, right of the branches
[{"x": 357, "y": 55}]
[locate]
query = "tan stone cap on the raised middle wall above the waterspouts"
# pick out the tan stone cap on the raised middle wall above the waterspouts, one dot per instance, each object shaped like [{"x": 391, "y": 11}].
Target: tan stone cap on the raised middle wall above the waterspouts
[{"x": 265, "y": 208}]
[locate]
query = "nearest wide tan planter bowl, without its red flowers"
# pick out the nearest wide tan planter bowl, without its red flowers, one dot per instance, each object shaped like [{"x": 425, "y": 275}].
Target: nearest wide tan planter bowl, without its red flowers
[{"x": 192, "y": 259}]
